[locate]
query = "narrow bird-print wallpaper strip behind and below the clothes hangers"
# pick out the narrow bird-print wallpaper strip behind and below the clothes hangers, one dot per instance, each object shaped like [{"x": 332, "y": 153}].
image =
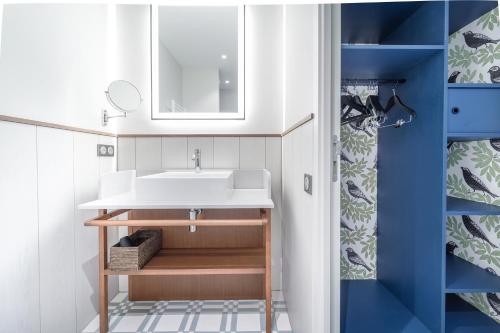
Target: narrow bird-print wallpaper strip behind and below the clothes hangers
[{"x": 358, "y": 196}]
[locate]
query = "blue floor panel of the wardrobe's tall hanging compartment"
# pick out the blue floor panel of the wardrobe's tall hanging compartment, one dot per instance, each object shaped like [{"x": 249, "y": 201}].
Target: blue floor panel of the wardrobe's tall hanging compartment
[{"x": 370, "y": 307}]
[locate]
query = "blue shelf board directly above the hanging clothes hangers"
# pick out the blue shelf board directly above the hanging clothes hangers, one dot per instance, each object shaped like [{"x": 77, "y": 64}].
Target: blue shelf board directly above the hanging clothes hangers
[{"x": 383, "y": 61}]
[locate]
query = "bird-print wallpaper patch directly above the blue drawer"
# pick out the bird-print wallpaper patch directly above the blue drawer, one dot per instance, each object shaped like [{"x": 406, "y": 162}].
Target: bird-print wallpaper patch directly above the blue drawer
[{"x": 474, "y": 51}]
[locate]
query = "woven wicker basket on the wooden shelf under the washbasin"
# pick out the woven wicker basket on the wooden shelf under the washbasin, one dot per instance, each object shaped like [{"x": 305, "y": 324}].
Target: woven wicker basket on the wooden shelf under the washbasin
[{"x": 134, "y": 258}]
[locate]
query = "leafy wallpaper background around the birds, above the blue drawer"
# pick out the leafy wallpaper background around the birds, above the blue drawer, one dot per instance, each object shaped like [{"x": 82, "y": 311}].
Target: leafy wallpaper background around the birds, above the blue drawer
[{"x": 474, "y": 64}]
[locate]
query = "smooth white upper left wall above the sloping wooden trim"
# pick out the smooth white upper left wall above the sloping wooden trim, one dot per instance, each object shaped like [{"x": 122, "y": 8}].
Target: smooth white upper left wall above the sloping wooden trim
[{"x": 56, "y": 55}]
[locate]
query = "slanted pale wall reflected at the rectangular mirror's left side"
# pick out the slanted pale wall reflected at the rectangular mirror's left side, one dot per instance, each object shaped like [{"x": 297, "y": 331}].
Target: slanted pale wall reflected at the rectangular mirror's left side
[{"x": 170, "y": 79}]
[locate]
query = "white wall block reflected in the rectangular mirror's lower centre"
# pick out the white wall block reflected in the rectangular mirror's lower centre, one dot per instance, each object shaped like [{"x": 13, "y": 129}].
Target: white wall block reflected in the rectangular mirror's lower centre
[{"x": 200, "y": 89}]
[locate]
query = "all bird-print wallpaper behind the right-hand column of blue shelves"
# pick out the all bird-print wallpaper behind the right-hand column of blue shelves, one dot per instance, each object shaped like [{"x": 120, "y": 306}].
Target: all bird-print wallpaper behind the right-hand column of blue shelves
[{"x": 474, "y": 167}]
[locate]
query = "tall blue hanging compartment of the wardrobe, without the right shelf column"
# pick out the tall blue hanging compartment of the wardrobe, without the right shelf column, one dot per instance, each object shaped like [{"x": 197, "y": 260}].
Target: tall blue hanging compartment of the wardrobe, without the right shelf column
[{"x": 410, "y": 44}]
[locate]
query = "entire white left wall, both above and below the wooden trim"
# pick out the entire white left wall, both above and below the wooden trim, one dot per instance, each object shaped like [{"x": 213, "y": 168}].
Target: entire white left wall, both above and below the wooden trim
[{"x": 53, "y": 68}]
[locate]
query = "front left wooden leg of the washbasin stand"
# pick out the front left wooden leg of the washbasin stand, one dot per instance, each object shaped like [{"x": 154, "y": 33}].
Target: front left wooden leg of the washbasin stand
[{"x": 103, "y": 280}]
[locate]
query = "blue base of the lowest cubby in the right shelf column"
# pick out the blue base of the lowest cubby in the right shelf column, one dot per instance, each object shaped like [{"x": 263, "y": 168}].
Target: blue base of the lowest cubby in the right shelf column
[{"x": 461, "y": 317}]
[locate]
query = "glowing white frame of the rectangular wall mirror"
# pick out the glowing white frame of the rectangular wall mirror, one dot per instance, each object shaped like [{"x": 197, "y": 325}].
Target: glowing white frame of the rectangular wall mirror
[{"x": 155, "y": 101}]
